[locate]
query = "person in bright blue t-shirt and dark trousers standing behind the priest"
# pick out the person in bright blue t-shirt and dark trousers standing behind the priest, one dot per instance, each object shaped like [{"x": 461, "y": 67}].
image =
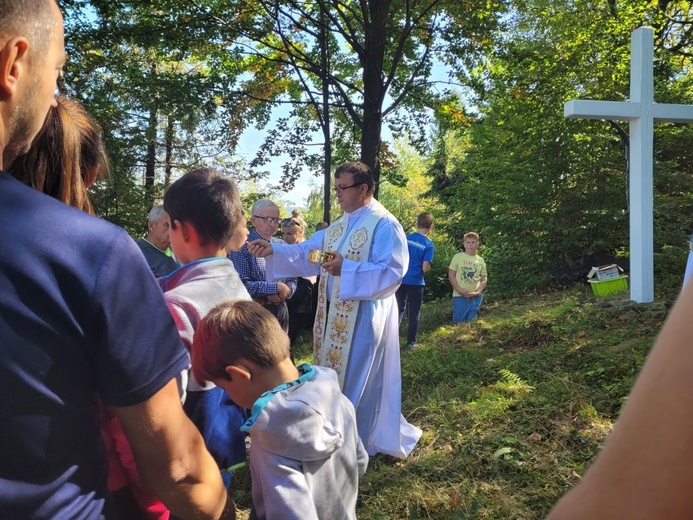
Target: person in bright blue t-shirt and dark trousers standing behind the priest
[{"x": 410, "y": 293}]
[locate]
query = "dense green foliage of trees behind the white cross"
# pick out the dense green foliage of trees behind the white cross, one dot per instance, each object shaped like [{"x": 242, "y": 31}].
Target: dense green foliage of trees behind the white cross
[{"x": 546, "y": 192}]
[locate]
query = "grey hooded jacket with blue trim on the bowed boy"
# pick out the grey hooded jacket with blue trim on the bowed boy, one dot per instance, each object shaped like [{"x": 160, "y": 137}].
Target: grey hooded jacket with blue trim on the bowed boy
[{"x": 305, "y": 453}]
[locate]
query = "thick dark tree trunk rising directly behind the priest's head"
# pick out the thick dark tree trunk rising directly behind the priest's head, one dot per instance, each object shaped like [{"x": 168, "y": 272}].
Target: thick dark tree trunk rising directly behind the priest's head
[{"x": 373, "y": 88}]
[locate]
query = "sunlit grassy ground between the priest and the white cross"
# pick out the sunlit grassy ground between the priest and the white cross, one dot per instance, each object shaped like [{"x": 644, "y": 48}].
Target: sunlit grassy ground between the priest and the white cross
[{"x": 513, "y": 406}]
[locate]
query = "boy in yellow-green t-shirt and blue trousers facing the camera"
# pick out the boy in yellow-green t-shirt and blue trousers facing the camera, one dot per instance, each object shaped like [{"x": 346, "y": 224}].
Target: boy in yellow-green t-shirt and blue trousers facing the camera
[{"x": 467, "y": 274}]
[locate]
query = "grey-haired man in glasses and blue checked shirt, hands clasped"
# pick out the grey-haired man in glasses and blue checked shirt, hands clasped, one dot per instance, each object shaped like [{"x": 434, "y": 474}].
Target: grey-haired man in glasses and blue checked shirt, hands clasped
[{"x": 270, "y": 294}]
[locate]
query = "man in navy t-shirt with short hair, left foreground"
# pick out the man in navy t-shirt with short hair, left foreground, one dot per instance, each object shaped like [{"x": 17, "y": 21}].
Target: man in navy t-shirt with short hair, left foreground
[{"x": 82, "y": 323}]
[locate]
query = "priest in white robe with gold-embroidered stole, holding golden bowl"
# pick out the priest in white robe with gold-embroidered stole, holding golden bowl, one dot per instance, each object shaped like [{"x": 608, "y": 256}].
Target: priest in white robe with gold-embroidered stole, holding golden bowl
[{"x": 356, "y": 324}]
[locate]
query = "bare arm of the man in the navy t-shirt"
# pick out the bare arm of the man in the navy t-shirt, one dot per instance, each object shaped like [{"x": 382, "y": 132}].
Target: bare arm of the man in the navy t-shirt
[{"x": 171, "y": 457}]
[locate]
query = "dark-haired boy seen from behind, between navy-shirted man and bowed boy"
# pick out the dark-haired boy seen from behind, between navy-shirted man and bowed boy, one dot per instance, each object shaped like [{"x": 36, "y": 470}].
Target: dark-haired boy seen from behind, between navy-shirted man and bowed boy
[{"x": 207, "y": 220}]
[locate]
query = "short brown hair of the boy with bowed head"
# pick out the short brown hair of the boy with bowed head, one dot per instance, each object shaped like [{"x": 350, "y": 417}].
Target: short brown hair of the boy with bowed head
[{"x": 233, "y": 330}]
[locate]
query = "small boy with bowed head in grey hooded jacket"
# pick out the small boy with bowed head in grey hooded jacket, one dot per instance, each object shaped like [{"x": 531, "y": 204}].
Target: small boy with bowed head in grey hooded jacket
[{"x": 305, "y": 453}]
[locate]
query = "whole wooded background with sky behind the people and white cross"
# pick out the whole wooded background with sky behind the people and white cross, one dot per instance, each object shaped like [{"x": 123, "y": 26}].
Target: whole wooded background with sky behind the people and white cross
[{"x": 176, "y": 83}]
